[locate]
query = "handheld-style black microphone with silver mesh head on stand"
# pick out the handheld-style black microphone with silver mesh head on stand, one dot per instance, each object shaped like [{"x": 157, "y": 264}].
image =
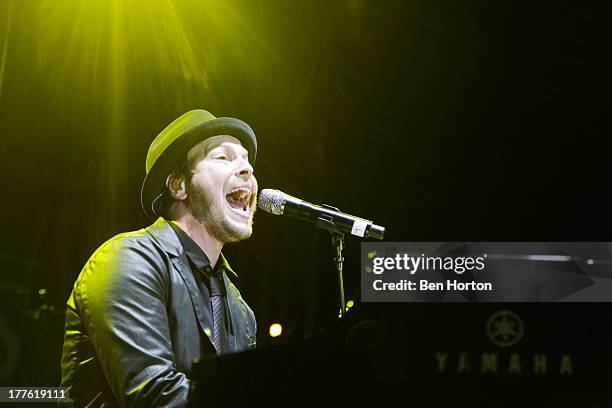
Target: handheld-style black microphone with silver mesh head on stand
[{"x": 324, "y": 216}]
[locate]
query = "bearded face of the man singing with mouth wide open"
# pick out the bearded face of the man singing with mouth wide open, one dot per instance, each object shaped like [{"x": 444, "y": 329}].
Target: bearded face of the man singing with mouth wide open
[{"x": 223, "y": 190}]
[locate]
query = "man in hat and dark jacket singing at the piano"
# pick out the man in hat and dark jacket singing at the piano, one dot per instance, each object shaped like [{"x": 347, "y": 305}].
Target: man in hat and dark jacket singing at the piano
[{"x": 149, "y": 302}]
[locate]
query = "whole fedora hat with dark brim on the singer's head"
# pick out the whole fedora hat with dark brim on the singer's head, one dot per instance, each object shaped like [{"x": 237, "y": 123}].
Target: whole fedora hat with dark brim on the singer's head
[{"x": 170, "y": 147}]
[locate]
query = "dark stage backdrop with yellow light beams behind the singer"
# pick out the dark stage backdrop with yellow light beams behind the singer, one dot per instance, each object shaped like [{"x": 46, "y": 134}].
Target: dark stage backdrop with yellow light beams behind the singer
[{"x": 440, "y": 120}]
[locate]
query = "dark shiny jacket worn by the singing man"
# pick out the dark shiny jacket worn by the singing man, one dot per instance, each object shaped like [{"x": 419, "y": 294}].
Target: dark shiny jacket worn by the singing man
[{"x": 134, "y": 323}]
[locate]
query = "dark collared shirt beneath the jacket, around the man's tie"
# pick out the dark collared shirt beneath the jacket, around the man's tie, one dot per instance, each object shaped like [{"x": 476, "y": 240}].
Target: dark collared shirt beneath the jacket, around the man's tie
[{"x": 202, "y": 270}]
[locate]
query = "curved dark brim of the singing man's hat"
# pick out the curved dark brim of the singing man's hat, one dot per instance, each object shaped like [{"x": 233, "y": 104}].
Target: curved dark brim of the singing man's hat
[{"x": 154, "y": 183}]
